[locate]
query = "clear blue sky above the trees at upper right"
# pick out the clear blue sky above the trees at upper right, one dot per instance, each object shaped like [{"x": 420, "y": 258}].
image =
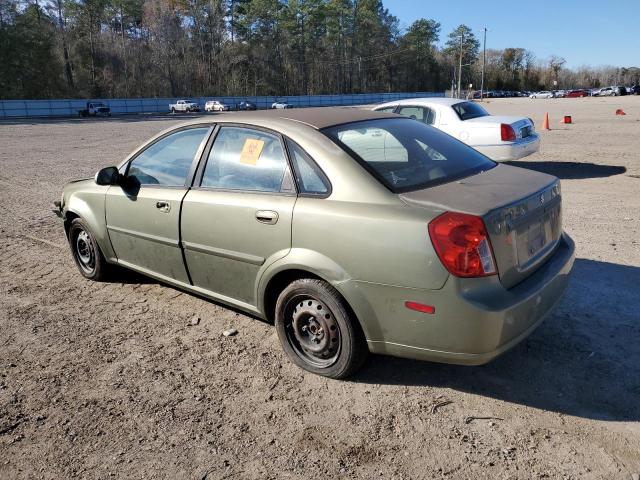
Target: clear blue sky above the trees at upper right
[{"x": 586, "y": 32}]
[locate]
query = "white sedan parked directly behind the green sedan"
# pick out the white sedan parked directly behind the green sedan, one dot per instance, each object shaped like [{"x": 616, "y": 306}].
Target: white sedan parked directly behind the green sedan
[{"x": 500, "y": 138}]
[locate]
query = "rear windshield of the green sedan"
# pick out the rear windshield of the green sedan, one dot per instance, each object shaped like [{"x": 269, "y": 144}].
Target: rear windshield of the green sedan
[{"x": 405, "y": 155}]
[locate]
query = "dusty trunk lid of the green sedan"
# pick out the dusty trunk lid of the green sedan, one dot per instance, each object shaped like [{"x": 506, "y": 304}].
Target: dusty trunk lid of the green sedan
[{"x": 521, "y": 210}]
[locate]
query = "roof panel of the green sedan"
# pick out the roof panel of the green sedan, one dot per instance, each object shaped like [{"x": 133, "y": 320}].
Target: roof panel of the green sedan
[{"x": 318, "y": 118}]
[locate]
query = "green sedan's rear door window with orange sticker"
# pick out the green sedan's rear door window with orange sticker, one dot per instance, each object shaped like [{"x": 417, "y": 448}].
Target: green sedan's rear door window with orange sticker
[{"x": 247, "y": 159}]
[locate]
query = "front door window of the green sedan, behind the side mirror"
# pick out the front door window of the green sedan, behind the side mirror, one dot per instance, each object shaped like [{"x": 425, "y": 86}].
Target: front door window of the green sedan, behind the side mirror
[{"x": 167, "y": 162}]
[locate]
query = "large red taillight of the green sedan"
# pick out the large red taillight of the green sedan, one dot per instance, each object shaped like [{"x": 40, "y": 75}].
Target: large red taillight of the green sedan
[{"x": 462, "y": 244}]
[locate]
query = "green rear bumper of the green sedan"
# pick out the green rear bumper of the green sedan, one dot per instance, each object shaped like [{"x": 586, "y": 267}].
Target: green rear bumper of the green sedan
[{"x": 475, "y": 320}]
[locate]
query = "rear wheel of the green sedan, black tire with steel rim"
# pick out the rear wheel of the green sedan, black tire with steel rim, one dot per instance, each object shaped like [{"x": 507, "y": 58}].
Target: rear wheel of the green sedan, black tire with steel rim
[{"x": 330, "y": 344}]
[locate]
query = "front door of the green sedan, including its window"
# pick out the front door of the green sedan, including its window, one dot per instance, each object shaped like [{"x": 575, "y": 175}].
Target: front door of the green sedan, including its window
[{"x": 143, "y": 212}]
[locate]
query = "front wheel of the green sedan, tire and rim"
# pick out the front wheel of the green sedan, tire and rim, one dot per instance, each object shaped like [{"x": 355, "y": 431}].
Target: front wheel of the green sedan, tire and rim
[{"x": 86, "y": 252}]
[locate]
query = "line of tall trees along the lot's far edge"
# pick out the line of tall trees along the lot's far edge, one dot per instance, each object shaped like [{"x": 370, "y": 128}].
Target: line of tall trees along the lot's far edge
[{"x": 148, "y": 48}]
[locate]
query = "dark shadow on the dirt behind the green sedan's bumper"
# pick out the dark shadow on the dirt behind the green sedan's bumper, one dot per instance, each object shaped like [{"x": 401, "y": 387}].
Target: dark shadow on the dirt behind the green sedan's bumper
[{"x": 582, "y": 361}]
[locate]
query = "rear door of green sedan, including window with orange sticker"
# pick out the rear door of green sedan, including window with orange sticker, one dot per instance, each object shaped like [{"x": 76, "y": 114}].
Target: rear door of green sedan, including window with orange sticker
[{"x": 237, "y": 217}]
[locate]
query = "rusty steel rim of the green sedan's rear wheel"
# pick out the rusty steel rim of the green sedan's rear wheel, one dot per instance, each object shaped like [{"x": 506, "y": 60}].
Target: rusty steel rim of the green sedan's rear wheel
[{"x": 313, "y": 331}]
